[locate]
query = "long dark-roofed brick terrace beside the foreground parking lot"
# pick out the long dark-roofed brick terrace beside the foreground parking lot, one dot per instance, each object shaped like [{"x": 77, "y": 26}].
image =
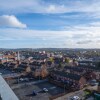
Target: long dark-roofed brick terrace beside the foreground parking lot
[{"x": 73, "y": 81}]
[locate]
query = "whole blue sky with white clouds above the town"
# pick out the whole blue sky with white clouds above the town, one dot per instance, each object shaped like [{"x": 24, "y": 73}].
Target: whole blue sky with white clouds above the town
[{"x": 49, "y": 23}]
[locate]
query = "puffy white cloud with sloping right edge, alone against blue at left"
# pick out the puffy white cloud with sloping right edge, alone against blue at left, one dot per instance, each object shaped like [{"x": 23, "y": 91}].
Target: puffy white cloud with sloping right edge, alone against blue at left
[{"x": 11, "y": 21}]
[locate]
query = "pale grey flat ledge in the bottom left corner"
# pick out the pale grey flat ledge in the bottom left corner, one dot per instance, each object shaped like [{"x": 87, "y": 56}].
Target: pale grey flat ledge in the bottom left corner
[{"x": 5, "y": 91}]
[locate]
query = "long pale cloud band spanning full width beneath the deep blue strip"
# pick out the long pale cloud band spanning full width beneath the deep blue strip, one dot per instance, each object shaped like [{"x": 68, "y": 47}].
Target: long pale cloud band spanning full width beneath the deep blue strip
[{"x": 75, "y": 33}]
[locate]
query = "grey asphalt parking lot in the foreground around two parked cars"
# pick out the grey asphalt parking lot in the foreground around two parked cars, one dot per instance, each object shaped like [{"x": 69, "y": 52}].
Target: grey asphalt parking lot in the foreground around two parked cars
[{"x": 25, "y": 92}]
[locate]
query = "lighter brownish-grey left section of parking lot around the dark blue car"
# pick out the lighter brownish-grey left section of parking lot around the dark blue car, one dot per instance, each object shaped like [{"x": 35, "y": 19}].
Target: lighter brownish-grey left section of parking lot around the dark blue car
[{"x": 24, "y": 93}]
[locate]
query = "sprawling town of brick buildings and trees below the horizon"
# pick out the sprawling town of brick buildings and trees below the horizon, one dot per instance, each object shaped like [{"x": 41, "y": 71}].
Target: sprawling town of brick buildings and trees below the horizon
[{"x": 51, "y": 74}]
